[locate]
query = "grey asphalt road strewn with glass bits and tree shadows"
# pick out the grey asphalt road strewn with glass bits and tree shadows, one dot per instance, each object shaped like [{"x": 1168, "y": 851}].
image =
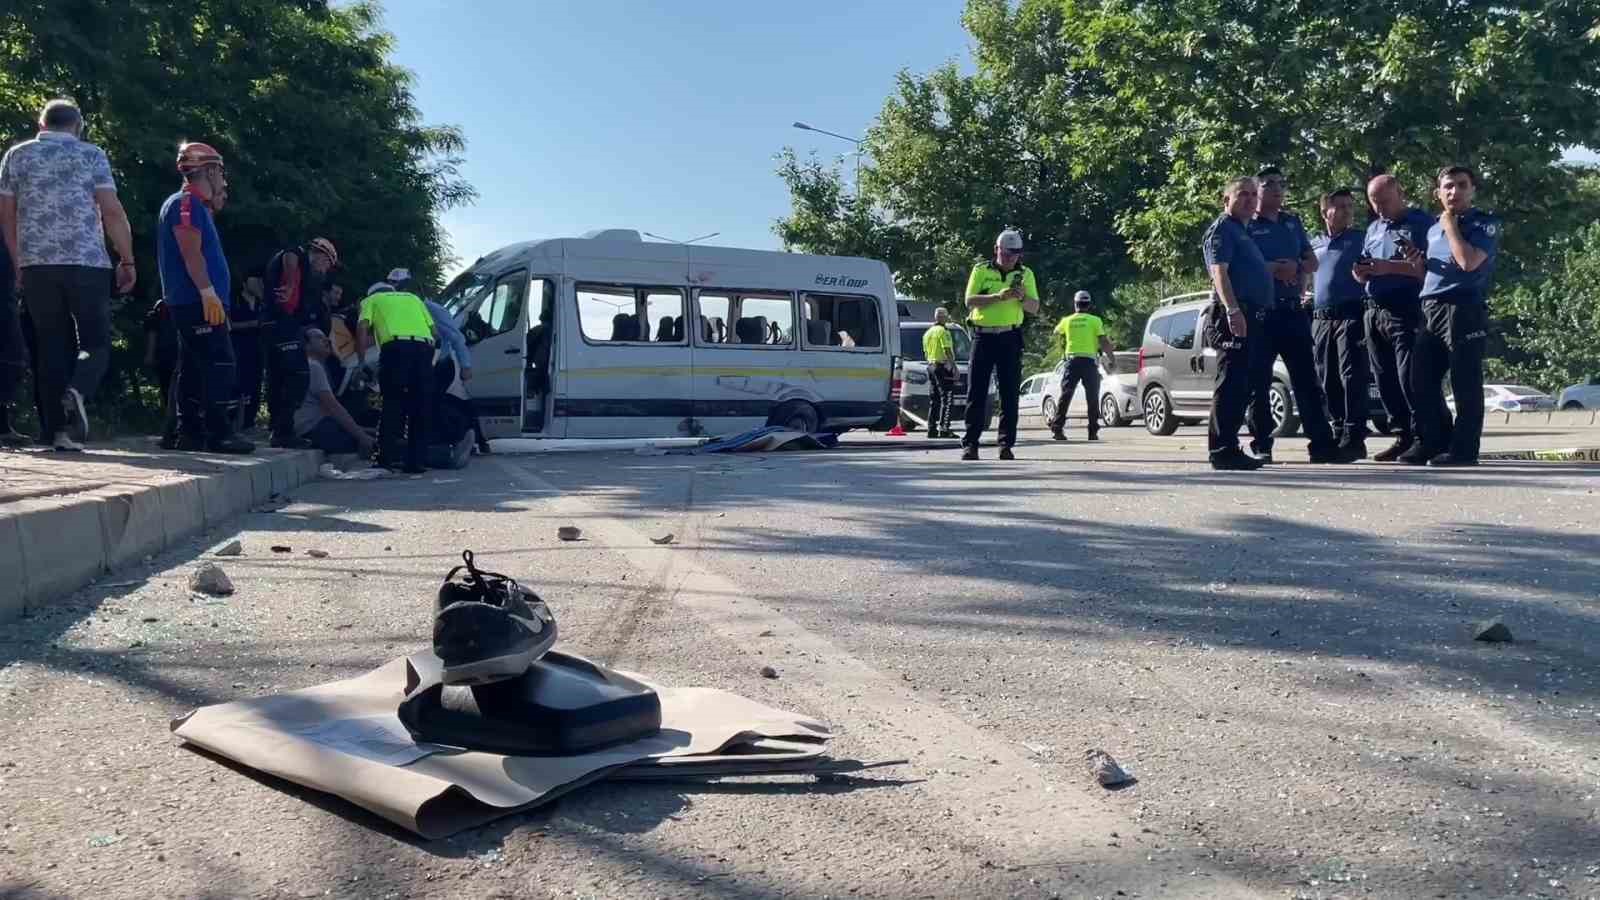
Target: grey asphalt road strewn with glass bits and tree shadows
[{"x": 1282, "y": 659}]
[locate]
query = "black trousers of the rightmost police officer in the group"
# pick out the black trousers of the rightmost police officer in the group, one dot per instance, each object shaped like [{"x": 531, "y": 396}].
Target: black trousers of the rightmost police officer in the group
[{"x": 1452, "y": 344}]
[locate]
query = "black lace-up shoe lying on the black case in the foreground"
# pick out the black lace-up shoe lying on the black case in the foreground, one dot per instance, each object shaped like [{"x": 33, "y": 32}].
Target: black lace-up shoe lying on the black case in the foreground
[{"x": 487, "y": 627}]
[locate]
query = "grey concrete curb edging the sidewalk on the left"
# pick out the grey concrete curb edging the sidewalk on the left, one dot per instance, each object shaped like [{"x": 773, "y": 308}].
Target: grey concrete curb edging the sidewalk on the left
[{"x": 52, "y": 547}]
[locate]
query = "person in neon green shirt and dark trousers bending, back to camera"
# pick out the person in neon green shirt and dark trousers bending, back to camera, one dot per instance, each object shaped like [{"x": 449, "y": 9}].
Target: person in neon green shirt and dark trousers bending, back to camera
[{"x": 404, "y": 332}]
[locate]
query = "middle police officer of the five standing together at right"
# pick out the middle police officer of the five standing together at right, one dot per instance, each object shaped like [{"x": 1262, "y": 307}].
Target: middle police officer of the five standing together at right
[{"x": 1337, "y": 324}]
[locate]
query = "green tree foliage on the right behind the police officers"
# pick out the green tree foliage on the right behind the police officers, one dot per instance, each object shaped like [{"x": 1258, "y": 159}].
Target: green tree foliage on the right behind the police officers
[{"x": 1106, "y": 129}]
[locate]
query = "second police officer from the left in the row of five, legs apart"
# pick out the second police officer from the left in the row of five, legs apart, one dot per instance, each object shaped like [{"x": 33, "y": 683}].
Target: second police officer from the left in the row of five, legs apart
[{"x": 1284, "y": 329}]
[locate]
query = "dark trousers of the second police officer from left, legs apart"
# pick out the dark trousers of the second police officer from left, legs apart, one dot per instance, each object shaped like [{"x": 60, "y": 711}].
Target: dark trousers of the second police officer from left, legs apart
[{"x": 1286, "y": 332}]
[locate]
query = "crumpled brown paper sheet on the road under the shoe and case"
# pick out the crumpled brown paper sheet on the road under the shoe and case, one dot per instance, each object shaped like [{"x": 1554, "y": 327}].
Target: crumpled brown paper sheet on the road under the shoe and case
[{"x": 345, "y": 739}]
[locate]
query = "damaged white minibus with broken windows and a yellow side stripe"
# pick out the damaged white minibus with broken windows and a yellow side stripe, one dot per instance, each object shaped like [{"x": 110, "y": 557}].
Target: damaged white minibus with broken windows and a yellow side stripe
[{"x": 609, "y": 335}]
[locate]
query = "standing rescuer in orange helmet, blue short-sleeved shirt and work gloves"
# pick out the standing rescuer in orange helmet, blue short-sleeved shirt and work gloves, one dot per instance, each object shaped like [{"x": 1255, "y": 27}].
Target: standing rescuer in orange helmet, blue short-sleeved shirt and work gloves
[{"x": 196, "y": 286}]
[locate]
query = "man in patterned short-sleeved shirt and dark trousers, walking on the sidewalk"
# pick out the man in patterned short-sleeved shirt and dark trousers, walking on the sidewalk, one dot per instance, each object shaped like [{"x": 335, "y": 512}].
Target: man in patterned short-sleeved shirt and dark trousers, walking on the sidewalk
[{"x": 57, "y": 199}]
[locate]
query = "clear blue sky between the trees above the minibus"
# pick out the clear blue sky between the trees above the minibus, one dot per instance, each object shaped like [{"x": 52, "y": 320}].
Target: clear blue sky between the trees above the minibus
[{"x": 652, "y": 115}]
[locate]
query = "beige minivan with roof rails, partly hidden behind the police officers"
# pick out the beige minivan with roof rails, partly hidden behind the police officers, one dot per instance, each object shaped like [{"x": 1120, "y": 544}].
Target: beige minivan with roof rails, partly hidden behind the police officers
[{"x": 1178, "y": 372}]
